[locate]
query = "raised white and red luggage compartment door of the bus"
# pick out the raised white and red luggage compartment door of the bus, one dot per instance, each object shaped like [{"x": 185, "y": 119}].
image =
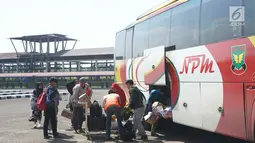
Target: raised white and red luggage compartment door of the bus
[{"x": 155, "y": 66}]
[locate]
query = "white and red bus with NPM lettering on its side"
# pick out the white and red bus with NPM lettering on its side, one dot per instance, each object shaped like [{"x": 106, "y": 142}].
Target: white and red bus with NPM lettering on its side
[{"x": 203, "y": 51}]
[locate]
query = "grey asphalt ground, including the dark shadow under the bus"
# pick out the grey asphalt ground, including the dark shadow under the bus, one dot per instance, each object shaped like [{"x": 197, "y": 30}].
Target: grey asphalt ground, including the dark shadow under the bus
[{"x": 15, "y": 128}]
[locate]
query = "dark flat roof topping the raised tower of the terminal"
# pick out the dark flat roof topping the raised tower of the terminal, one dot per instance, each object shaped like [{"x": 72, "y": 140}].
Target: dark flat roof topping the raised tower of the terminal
[{"x": 44, "y": 38}]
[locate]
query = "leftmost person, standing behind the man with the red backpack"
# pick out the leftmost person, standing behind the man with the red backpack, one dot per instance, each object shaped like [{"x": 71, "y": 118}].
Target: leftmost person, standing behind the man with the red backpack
[{"x": 36, "y": 114}]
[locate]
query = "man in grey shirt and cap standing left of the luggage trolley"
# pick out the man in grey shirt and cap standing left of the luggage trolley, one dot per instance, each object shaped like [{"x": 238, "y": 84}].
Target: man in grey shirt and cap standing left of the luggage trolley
[{"x": 78, "y": 112}]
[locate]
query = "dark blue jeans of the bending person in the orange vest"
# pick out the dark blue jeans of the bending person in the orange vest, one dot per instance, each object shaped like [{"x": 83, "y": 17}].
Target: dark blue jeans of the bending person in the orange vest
[{"x": 109, "y": 112}]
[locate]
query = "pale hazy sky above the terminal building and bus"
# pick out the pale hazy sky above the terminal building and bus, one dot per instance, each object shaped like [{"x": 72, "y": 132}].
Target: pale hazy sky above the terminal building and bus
[{"x": 93, "y": 22}]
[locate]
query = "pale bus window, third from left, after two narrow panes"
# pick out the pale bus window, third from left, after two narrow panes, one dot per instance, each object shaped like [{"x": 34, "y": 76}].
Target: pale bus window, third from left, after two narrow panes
[{"x": 141, "y": 37}]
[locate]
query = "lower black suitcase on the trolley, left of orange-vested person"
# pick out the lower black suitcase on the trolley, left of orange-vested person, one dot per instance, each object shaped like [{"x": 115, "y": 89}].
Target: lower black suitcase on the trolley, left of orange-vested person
[{"x": 96, "y": 123}]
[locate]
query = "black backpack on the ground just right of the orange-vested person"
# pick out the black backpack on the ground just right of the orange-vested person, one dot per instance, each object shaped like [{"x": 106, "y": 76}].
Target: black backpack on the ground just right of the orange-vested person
[{"x": 127, "y": 133}]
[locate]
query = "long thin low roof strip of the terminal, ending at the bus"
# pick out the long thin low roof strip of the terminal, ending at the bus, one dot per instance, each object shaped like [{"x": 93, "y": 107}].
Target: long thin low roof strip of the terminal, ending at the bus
[{"x": 58, "y": 74}]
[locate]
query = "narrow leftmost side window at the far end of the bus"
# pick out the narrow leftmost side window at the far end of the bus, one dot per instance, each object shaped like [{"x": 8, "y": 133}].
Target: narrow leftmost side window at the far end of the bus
[{"x": 120, "y": 45}]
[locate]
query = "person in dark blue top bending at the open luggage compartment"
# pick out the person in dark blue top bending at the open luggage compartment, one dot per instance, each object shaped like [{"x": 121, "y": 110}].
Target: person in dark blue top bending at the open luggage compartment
[{"x": 155, "y": 95}]
